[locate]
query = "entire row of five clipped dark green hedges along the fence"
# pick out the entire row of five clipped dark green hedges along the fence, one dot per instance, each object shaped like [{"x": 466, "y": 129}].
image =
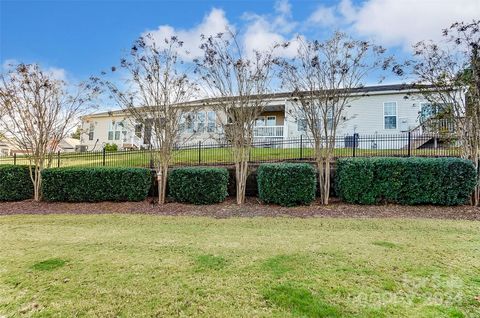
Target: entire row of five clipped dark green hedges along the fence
[{"x": 441, "y": 181}]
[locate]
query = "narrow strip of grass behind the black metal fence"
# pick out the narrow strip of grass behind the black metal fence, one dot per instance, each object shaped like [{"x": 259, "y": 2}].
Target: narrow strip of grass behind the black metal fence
[{"x": 216, "y": 156}]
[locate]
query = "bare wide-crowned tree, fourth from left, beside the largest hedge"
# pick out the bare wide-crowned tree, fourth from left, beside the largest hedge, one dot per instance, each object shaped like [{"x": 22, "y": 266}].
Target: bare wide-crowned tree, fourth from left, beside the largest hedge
[{"x": 324, "y": 77}]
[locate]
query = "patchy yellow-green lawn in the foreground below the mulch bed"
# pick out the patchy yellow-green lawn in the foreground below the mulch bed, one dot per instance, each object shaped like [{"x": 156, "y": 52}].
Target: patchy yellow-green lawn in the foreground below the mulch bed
[{"x": 138, "y": 265}]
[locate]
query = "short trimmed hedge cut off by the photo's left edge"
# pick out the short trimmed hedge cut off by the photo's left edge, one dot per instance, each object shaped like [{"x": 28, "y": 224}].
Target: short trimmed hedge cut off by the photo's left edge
[{"x": 15, "y": 183}]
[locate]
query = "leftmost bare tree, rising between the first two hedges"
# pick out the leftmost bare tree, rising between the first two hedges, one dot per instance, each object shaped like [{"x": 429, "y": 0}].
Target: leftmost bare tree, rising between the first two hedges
[{"x": 38, "y": 111}]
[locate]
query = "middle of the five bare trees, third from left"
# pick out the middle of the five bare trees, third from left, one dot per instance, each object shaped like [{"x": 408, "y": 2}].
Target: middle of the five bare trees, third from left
[{"x": 237, "y": 81}]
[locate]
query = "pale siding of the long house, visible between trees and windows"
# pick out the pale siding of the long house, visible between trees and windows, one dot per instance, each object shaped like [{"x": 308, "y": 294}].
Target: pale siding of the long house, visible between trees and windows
[{"x": 365, "y": 116}]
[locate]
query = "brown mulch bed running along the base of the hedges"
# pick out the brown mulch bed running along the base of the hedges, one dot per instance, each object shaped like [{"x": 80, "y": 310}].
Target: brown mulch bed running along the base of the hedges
[{"x": 251, "y": 208}]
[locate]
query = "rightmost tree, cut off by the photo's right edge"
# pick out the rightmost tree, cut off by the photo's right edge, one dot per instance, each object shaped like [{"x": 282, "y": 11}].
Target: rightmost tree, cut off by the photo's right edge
[{"x": 448, "y": 74}]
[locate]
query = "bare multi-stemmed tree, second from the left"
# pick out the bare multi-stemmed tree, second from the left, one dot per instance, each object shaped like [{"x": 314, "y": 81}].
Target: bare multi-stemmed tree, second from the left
[{"x": 157, "y": 83}]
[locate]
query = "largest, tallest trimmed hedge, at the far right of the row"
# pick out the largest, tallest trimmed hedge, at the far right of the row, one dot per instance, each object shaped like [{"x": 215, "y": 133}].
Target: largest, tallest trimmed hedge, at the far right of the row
[{"x": 410, "y": 181}]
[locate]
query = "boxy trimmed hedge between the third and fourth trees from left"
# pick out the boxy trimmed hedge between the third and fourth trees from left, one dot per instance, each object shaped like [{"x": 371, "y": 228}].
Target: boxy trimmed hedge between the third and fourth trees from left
[{"x": 287, "y": 184}]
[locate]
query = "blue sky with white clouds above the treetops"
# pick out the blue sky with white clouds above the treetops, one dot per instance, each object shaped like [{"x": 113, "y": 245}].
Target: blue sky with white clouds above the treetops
[{"x": 77, "y": 39}]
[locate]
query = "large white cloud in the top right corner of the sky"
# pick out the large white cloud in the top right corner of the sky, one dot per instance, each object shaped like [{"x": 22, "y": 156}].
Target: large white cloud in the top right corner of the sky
[{"x": 394, "y": 22}]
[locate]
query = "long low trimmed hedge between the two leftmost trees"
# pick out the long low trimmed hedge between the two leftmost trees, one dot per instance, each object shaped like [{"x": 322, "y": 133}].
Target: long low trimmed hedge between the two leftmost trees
[{"x": 96, "y": 184}]
